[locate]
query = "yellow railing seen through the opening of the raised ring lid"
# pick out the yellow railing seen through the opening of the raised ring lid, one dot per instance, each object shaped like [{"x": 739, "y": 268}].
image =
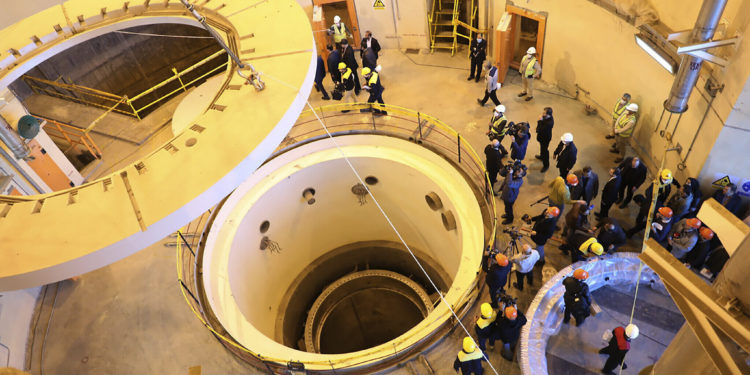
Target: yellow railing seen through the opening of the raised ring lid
[{"x": 120, "y": 103}]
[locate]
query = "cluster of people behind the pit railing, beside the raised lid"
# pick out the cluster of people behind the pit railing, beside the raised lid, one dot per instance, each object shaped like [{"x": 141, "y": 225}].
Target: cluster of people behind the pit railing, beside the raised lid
[{"x": 343, "y": 68}]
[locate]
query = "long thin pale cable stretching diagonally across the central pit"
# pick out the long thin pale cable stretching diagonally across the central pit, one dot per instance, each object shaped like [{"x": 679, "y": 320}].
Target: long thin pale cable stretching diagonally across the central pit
[{"x": 390, "y": 223}]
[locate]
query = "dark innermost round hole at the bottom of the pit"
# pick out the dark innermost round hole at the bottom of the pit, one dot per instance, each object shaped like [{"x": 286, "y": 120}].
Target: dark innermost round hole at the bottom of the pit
[{"x": 367, "y": 318}]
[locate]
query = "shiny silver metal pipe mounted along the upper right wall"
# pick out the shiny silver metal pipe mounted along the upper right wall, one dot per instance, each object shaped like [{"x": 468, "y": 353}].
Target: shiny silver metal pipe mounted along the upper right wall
[{"x": 690, "y": 66}]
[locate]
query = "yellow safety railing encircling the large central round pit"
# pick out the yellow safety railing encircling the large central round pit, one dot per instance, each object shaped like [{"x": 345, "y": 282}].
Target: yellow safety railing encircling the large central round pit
[{"x": 401, "y": 122}]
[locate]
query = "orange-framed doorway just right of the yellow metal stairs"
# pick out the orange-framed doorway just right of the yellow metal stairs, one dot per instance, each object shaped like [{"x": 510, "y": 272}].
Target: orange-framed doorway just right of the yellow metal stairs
[{"x": 518, "y": 30}]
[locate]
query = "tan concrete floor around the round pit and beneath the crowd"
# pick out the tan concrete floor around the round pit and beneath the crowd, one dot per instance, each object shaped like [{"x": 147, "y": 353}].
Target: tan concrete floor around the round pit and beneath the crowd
[{"x": 130, "y": 317}]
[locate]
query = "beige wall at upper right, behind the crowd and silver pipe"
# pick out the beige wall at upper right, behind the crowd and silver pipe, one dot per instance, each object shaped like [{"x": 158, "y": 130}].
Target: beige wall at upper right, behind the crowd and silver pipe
[{"x": 600, "y": 55}]
